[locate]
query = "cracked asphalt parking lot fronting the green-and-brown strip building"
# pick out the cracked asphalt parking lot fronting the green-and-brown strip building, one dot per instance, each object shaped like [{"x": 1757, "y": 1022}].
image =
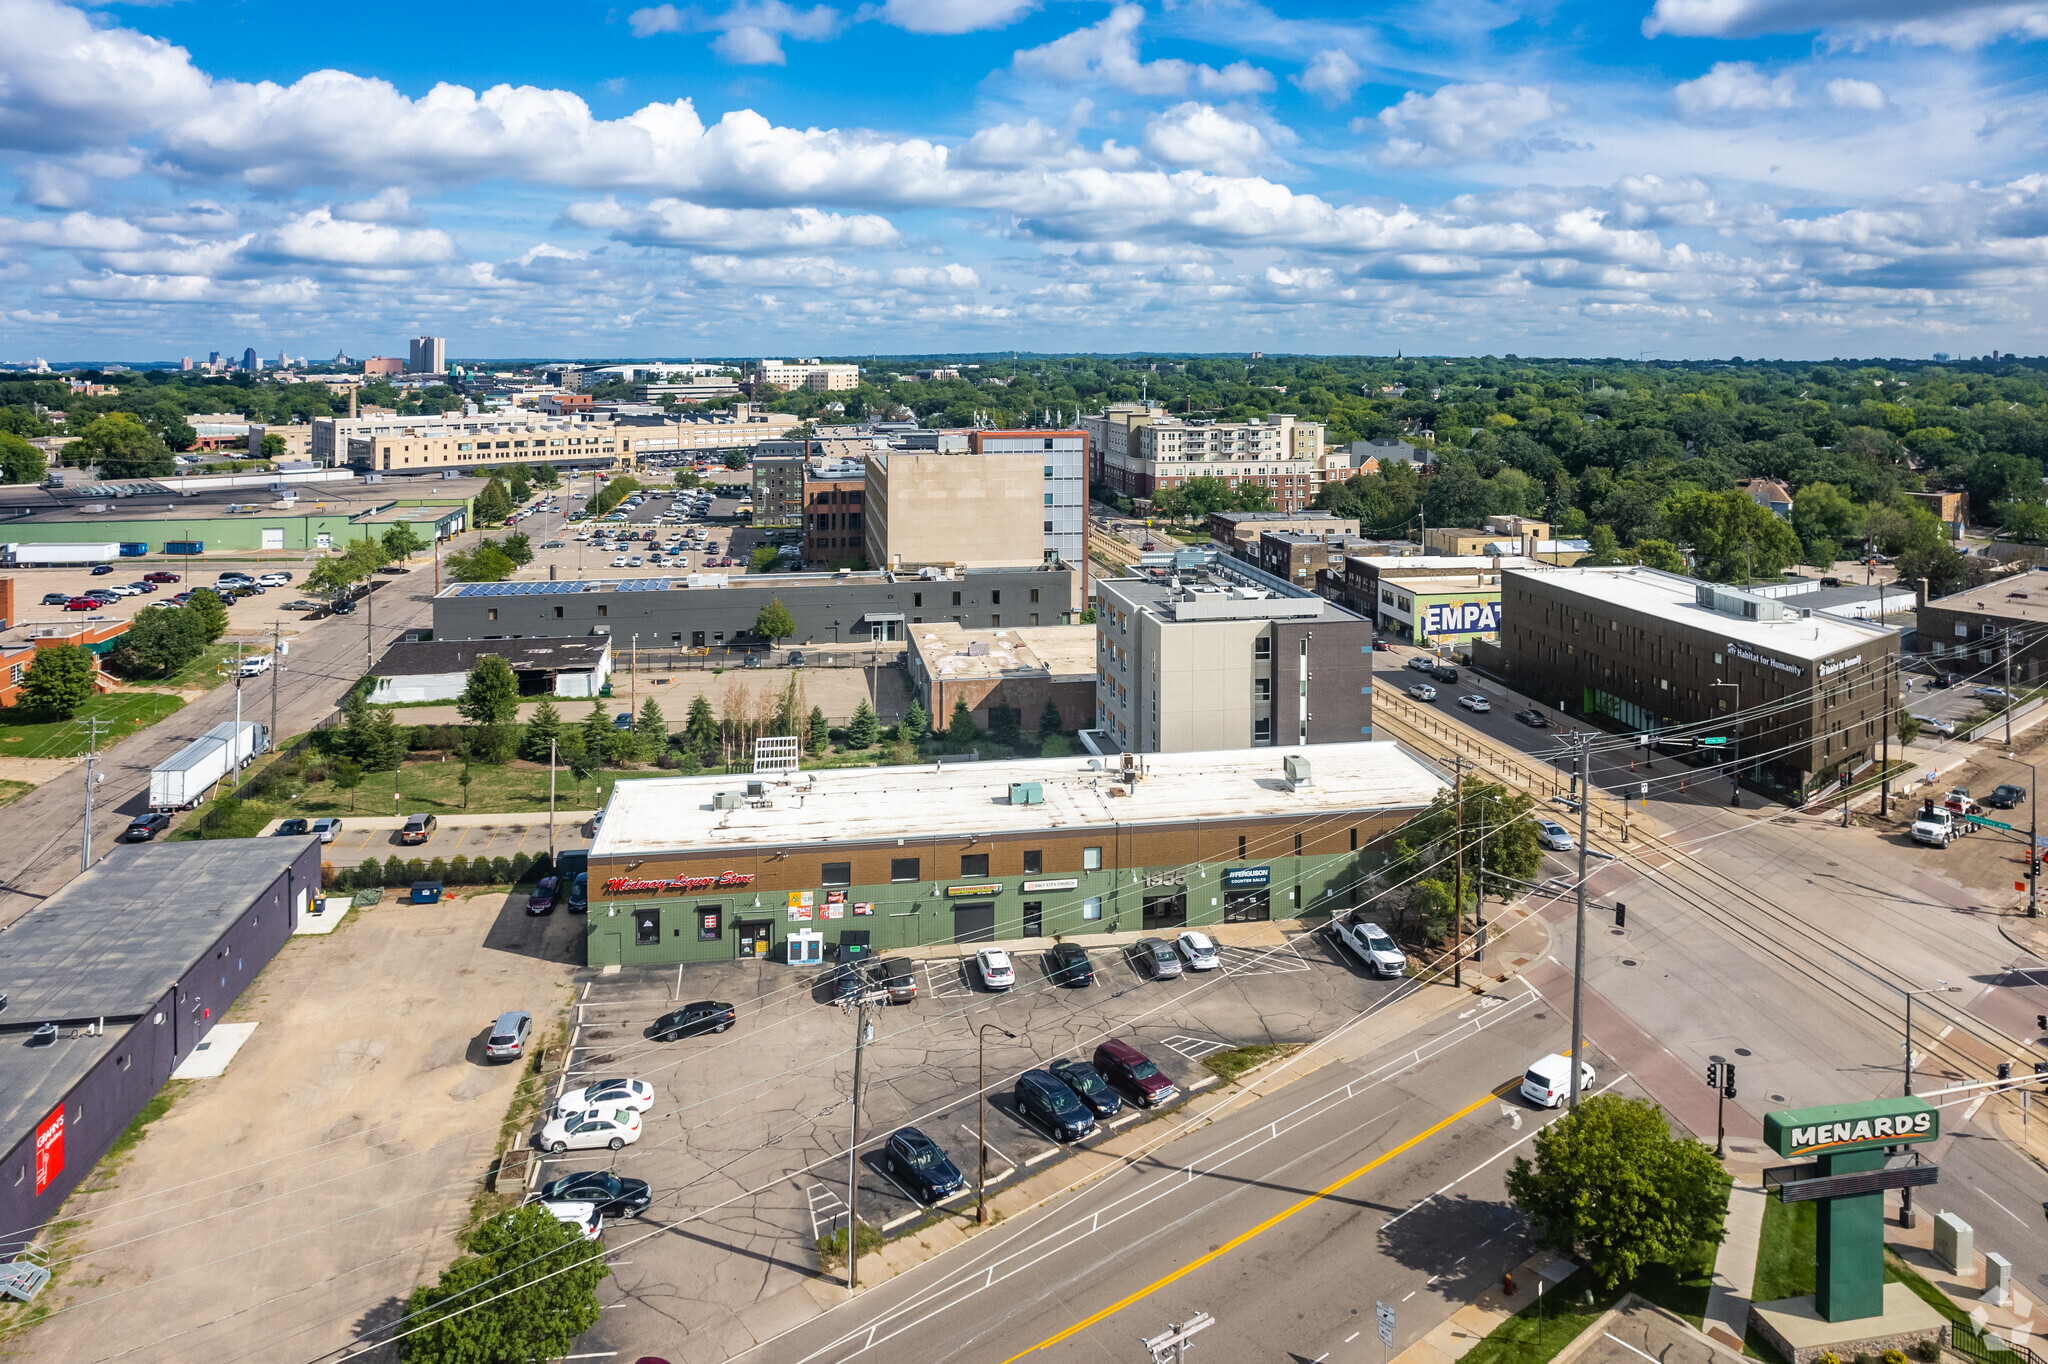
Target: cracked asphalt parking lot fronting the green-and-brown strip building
[{"x": 746, "y": 1144}]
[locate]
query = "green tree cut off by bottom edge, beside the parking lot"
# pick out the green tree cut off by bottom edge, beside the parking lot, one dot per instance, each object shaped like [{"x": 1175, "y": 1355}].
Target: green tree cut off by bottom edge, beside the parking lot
[{"x": 525, "y": 1291}]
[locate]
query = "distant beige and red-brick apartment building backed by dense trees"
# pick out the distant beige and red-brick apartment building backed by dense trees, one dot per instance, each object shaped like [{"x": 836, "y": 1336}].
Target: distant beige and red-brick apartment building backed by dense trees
[{"x": 1166, "y": 452}]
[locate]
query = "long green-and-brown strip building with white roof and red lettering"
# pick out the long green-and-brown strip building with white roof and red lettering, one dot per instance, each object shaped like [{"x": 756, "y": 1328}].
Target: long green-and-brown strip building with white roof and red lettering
[{"x": 722, "y": 867}]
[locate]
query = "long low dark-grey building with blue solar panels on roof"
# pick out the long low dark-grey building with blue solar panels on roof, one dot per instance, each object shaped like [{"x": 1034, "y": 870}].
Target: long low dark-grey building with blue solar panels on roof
[{"x": 714, "y": 611}]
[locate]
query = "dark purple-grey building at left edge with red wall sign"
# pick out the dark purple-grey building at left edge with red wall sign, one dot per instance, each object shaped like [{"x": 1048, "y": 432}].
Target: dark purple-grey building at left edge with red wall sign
[{"x": 112, "y": 984}]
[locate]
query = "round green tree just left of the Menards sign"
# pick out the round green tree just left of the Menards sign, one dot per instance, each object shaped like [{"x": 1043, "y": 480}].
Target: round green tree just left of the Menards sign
[{"x": 1611, "y": 1187}]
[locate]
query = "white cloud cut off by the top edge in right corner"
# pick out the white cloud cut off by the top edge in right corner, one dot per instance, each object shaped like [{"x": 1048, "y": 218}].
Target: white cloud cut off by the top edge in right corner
[{"x": 1953, "y": 24}]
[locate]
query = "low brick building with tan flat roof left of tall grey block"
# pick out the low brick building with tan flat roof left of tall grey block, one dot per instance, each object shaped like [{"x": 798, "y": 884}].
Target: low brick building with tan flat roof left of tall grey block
[{"x": 1015, "y": 667}]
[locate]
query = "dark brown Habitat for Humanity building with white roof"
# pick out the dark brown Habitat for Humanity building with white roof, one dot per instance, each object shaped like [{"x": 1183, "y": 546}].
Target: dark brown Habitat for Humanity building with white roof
[{"x": 1803, "y": 695}]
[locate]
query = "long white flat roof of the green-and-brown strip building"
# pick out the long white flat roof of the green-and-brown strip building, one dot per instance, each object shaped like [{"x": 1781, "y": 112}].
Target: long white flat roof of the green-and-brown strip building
[{"x": 974, "y": 798}]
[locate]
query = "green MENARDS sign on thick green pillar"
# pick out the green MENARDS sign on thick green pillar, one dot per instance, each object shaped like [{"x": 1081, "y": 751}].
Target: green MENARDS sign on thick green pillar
[{"x": 1844, "y": 1148}]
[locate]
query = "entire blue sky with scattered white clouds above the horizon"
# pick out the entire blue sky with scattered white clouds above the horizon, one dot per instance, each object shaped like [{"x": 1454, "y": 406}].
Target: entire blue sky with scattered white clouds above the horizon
[{"x": 1666, "y": 177}]
